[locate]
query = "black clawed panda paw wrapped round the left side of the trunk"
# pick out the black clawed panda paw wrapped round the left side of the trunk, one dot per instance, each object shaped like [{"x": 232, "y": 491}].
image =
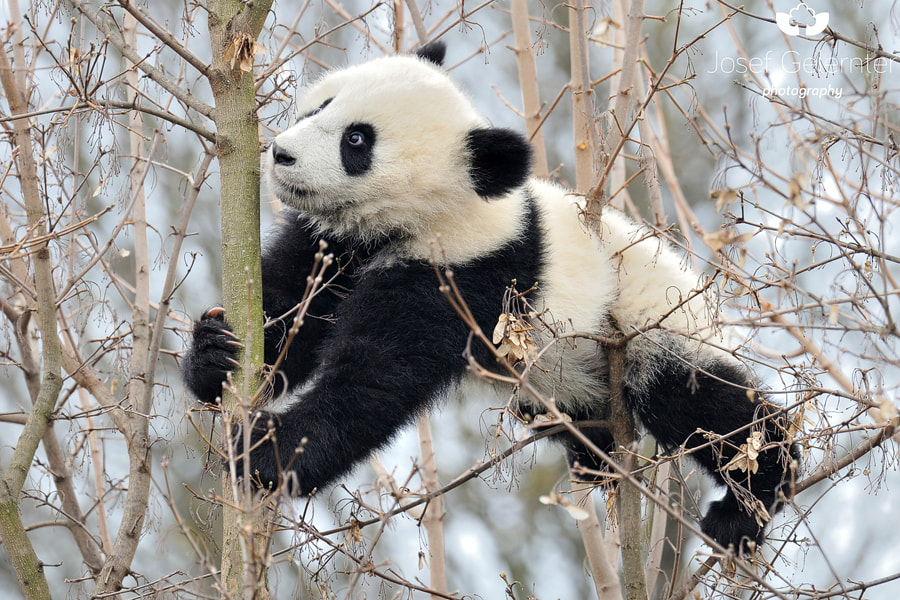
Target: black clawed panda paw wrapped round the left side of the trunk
[{"x": 211, "y": 357}]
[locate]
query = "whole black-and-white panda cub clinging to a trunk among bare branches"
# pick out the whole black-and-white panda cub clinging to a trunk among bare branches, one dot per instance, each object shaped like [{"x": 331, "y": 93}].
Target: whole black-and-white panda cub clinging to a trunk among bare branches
[{"x": 386, "y": 158}]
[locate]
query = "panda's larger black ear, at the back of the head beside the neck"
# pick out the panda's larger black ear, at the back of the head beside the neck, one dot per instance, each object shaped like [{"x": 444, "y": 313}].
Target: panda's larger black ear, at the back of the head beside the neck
[{"x": 500, "y": 160}]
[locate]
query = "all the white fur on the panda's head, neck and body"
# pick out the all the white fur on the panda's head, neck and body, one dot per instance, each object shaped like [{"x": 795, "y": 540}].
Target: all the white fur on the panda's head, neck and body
[{"x": 419, "y": 186}]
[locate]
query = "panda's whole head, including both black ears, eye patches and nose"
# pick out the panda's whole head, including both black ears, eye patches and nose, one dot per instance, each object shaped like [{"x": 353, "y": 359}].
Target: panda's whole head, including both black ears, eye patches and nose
[{"x": 387, "y": 147}]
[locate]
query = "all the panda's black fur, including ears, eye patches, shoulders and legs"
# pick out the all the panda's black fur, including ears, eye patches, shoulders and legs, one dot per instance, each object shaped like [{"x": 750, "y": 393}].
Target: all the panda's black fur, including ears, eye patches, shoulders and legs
[{"x": 381, "y": 344}]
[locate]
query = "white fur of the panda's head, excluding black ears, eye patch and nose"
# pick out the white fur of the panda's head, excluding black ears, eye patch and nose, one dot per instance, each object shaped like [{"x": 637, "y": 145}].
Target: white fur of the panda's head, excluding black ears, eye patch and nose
[{"x": 419, "y": 176}]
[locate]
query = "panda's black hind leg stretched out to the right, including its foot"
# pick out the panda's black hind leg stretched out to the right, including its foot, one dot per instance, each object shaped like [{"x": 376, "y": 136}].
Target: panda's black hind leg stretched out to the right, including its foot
[{"x": 678, "y": 401}]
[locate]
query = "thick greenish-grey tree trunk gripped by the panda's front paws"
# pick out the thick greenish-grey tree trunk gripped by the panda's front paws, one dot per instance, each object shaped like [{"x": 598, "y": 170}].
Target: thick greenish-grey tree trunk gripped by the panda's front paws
[{"x": 233, "y": 28}]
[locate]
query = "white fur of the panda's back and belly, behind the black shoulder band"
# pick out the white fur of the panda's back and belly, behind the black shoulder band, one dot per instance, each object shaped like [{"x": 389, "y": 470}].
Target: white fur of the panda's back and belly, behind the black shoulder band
[{"x": 621, "y": 271}]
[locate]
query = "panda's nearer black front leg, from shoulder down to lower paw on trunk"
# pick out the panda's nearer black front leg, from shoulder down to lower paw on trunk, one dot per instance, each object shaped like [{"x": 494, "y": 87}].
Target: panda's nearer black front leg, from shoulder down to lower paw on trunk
[{"x": 394, "y": 348}]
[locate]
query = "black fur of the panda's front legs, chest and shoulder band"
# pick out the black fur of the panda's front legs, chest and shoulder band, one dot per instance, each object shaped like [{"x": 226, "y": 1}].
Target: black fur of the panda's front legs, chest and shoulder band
[{"x": 383, "y": 345}]
